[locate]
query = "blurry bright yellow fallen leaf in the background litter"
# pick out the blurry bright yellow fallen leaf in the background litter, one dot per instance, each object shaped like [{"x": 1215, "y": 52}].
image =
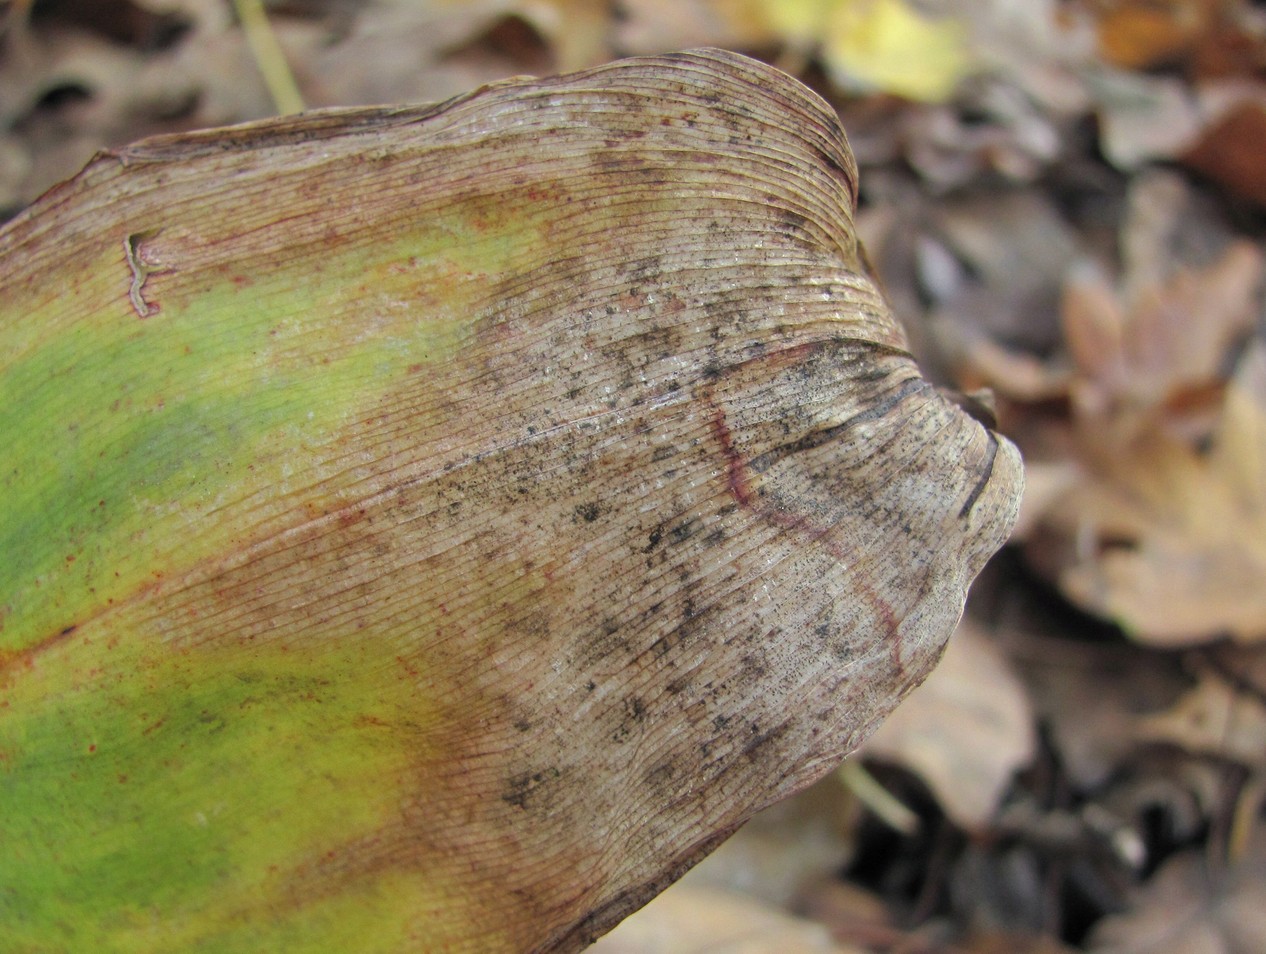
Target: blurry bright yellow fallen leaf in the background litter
[{"x": 886, "y": 45}]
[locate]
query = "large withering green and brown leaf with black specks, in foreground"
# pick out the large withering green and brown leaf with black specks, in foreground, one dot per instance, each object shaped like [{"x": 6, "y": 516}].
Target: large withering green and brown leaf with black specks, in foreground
[{"x": 436, "y": 528}]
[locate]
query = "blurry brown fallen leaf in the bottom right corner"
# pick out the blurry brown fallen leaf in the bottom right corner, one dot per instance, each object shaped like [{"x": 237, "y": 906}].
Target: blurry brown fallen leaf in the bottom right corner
[{"x": 1191, "y": 908}]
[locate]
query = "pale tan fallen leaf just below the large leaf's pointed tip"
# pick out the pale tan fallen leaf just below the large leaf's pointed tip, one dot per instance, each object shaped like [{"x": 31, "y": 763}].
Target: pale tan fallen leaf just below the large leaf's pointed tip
[{"x": 965, "y": 731}]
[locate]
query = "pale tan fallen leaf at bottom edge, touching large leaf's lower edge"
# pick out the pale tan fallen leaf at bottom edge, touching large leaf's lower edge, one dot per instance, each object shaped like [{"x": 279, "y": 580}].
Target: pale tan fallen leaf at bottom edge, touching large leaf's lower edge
[{"x": 705, "y": 920}]
